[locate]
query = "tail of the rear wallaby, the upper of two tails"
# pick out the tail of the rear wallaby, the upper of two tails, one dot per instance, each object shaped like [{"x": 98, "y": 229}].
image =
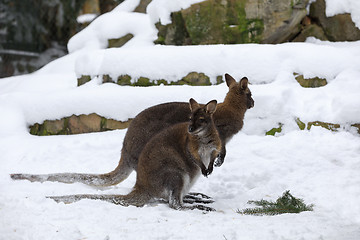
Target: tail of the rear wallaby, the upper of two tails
[{"x": 121, "y": 172}]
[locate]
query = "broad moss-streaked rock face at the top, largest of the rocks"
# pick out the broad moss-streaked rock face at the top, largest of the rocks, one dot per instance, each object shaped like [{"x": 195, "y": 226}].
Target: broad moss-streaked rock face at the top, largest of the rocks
[{"x": 234, "y": 21}]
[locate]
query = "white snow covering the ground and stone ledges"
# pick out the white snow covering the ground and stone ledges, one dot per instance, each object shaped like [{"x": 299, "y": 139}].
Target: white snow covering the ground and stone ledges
[{"x": 320, "y": 166}]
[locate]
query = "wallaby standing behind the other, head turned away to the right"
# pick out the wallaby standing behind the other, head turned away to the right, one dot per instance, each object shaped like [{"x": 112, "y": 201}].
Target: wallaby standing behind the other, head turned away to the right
[{"x": 228, "y": 120}]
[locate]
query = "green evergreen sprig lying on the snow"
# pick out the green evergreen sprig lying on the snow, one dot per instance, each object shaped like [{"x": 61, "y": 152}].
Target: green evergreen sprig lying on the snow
[{"x": 284, "y": 204}]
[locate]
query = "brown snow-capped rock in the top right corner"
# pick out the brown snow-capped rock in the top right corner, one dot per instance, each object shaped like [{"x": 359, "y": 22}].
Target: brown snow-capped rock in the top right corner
[{"x": 337, "y": 28}]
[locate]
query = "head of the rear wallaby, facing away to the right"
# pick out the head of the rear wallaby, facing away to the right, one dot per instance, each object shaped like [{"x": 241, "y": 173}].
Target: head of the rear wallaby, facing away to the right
[{"x": 239, "y": 91}]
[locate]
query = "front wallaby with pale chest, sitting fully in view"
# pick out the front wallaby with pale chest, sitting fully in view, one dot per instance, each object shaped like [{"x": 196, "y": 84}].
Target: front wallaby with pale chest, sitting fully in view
[{"x": 171, "y": 162}]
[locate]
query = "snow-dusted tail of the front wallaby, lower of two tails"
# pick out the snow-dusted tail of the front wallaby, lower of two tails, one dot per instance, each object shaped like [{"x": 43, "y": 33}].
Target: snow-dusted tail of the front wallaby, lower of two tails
[{"x": 135, "y": 198}]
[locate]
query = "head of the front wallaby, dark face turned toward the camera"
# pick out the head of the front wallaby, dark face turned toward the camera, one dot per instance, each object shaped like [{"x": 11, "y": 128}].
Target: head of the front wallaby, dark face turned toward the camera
[{"x": 201, "y": 117}]
